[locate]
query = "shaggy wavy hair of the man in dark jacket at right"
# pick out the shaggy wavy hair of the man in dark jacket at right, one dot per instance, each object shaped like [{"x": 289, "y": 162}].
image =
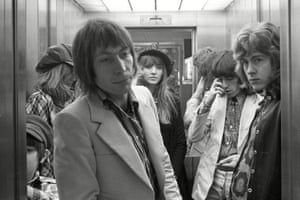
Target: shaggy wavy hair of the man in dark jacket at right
[{"x": 263, "y": 38}]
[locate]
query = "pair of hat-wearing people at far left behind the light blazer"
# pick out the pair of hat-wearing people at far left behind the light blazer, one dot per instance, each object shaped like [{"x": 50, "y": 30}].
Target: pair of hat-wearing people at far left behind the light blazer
[{"x": 54, "y": 89}]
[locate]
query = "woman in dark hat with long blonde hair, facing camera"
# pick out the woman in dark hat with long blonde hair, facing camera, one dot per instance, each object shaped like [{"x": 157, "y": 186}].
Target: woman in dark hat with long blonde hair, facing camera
[{"x": 155, "y": 69}]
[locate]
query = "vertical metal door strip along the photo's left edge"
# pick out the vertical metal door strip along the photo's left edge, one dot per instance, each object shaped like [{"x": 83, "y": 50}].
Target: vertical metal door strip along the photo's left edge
[{"x": 7, "y": 168}]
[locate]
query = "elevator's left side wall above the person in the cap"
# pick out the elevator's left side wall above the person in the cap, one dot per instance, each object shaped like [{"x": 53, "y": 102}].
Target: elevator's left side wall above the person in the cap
[{"x": 48, "y": 22}]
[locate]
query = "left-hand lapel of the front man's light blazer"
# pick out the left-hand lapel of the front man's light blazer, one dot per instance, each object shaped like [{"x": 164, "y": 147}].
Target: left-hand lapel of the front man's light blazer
[{"x": 115, "y": 136}]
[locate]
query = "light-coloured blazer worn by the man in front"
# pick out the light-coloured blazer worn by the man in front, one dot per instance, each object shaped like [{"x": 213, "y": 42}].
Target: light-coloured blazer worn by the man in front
[{"x": 94, "y": 157}]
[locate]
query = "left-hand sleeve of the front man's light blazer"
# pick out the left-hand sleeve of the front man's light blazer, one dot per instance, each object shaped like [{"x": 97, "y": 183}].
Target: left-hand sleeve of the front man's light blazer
[{"x": 74, "y": 159}]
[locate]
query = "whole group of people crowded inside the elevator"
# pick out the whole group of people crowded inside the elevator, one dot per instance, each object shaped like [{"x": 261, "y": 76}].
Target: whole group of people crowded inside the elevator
[{"x": 105, "y": 124}]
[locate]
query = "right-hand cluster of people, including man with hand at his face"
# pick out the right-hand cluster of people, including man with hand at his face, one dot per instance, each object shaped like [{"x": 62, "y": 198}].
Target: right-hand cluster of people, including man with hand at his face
[{"x": 235, "y": 128}]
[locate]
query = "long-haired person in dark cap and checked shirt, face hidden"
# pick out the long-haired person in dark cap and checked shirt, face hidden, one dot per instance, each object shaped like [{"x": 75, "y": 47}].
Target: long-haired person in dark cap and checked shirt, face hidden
[{"x": 54, "y": 88}]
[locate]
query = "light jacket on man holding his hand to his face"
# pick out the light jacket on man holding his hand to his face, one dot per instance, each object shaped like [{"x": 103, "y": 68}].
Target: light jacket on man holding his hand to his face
[{"x": 210, "y": 131}]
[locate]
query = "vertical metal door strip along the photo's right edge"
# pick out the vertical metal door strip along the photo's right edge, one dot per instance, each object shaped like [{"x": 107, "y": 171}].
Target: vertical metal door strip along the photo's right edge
[{"x": 290, "y": 71}]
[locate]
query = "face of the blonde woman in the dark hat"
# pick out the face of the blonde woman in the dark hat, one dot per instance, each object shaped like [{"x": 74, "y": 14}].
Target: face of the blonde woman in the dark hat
[{"x": 152, "y": 69}]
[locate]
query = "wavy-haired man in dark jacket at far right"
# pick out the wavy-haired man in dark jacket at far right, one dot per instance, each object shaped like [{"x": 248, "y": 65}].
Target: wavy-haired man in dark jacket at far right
[{"x": 258, "y": 173}]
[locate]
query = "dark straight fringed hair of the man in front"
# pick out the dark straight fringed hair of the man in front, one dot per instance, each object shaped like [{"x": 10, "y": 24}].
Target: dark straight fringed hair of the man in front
[{"x": 97, "y": 33}]
